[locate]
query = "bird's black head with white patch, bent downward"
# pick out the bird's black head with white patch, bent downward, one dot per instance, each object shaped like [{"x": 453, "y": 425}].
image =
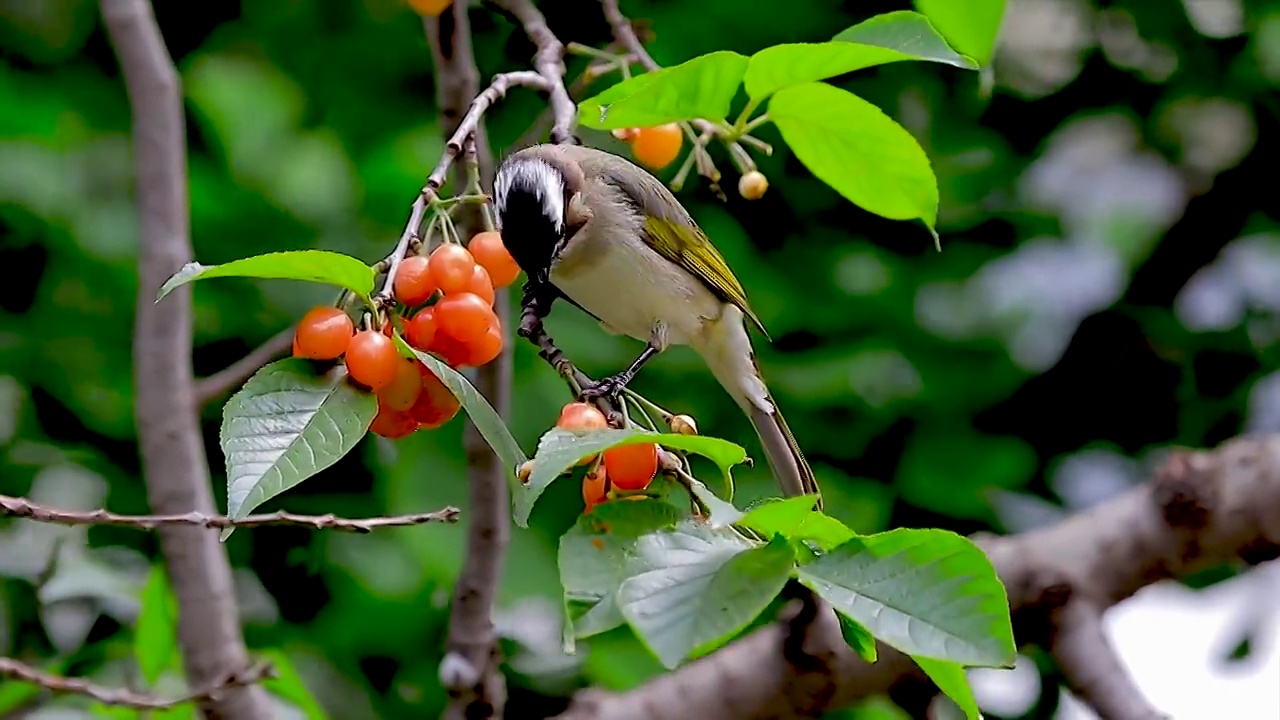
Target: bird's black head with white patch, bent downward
[{"x": 532, "y": 194}]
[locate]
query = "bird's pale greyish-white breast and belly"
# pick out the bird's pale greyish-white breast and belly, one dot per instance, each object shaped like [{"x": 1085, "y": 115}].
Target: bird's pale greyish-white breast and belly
[{"x": 633, "y": 289}]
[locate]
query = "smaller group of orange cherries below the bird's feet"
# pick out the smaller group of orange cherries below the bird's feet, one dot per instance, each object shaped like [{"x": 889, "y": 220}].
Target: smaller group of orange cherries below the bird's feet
[{"x": 627, "y": 468}]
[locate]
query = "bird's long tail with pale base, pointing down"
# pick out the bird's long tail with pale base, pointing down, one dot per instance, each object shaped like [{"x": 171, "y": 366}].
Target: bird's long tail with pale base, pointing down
[{"x": 728, "y": 350}]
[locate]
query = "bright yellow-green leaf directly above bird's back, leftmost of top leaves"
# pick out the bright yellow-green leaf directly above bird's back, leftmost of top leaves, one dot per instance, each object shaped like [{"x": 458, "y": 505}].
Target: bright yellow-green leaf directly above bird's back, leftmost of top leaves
[{"x": 702, "y": 88}]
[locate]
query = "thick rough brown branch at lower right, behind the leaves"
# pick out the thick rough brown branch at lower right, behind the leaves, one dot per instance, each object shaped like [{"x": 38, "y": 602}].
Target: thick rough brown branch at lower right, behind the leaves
[{"x": 1201, "y": 509}]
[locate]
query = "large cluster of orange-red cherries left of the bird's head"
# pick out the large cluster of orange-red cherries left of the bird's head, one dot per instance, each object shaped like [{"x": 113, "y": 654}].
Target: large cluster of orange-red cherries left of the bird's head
[{"x": 445, "y": 303}]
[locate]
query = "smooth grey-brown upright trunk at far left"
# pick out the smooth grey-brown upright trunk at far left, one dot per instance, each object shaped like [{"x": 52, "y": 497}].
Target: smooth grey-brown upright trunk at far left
[{"x": 173, "y": 457}]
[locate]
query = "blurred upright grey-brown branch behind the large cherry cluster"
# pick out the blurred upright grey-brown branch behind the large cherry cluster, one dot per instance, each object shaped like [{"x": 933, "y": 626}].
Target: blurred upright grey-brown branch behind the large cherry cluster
[{"x": 472, "y": 671}]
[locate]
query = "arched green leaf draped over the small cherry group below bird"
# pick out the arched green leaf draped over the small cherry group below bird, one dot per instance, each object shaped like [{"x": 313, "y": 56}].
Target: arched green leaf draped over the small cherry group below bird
[{"x": 559, "y": 450}]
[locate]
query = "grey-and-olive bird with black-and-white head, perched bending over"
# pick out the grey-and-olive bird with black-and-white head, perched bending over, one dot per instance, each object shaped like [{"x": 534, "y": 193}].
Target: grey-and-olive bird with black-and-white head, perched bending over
[{"x": 610, "y": 238}]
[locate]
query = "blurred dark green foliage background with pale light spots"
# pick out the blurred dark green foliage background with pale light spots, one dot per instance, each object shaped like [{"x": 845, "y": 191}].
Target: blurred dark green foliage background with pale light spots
[{"x": 1109, "y": 288}]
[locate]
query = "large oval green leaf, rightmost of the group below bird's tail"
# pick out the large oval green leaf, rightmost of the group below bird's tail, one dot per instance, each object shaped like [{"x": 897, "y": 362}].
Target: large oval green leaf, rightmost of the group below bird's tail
[{"x": 925, "y": 593}]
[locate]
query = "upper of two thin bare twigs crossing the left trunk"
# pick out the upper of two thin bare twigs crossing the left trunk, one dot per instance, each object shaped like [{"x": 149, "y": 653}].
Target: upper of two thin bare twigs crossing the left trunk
[{"x": 22, "y": 508}]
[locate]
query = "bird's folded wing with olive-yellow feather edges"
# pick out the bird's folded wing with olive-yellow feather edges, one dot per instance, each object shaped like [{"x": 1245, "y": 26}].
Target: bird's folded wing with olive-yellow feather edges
[{"x": 674, "y": 234}]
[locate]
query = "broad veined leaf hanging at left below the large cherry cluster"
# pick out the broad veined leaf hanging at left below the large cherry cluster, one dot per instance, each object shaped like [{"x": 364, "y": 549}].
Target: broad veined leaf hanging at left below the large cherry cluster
[{"x": 287, "y": 425}]
